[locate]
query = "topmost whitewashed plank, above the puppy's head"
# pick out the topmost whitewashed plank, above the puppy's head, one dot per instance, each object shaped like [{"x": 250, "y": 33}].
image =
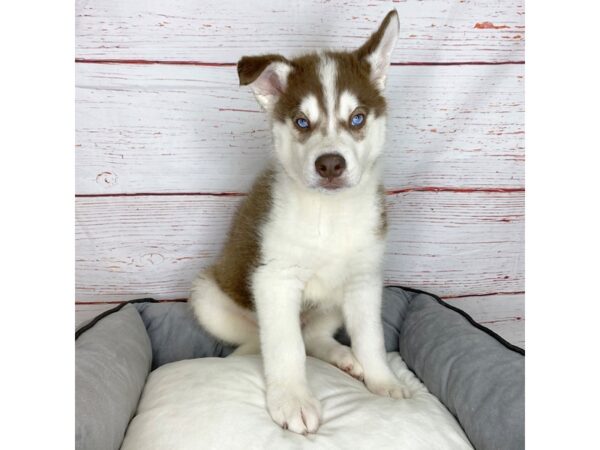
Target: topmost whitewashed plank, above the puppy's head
[{"x": 223, "y": 31}]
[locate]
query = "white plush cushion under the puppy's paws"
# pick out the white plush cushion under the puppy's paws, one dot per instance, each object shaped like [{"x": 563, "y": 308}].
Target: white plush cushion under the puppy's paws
[{"x": 220, "y": 403}]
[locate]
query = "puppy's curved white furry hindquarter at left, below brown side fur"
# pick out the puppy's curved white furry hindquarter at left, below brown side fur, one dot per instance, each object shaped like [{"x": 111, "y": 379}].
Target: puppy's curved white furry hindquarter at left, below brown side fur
[{"x": 222, "y": 317}]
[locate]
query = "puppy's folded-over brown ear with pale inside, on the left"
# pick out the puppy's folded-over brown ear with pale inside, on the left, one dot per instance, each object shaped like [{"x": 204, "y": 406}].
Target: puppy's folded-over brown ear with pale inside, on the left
[{"x": 266, "y": 75}]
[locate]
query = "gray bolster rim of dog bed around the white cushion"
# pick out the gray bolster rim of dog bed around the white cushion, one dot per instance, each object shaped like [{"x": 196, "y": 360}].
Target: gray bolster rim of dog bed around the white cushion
[{"x": 476, "y": 374}]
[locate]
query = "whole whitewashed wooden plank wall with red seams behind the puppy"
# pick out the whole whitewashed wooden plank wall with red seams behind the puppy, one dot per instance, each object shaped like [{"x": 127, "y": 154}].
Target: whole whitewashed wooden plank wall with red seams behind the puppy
[{"x": 167, "y": 143}]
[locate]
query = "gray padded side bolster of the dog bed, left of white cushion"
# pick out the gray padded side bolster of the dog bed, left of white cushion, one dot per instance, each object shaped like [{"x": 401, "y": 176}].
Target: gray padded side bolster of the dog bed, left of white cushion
[{"x": 113, "y": 361}]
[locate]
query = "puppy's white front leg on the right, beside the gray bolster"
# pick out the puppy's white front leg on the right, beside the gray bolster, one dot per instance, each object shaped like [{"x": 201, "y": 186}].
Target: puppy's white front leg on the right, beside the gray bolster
[{"x": 362, "y": 314}]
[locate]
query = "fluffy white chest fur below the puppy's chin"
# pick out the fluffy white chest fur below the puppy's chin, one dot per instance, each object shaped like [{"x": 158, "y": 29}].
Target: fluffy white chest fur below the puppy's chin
[{"x": 322, "y": 239}]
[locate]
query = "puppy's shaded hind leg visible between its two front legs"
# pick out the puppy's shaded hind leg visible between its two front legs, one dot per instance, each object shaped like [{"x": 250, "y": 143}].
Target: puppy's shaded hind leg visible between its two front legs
[{"x": 320, "y": 326}]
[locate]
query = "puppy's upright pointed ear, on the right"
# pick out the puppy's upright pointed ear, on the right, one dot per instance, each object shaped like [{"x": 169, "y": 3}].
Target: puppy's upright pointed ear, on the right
[{"x": 377, "y": 51}]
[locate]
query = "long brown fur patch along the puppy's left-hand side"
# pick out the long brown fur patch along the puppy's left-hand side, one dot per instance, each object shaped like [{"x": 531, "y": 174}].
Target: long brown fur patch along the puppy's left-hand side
[{"x": 241, "y": 254}]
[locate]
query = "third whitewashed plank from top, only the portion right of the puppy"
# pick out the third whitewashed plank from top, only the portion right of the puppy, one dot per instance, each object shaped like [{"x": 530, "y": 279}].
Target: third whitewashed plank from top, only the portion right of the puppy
[{"x": 456, "y": 243}]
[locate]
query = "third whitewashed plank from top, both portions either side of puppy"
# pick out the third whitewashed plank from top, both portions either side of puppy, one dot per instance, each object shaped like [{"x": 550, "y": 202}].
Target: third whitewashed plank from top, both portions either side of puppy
[{"x": 447, "y": 243}]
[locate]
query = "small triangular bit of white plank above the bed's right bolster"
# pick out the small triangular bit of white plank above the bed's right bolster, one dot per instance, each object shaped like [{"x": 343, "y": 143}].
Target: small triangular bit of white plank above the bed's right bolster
[{"x": 503, "y": 314}]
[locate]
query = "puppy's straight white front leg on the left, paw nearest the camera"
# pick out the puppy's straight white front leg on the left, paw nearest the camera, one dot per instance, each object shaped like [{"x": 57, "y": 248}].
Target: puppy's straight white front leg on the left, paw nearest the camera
[{"x": 289, "y": 400}]
